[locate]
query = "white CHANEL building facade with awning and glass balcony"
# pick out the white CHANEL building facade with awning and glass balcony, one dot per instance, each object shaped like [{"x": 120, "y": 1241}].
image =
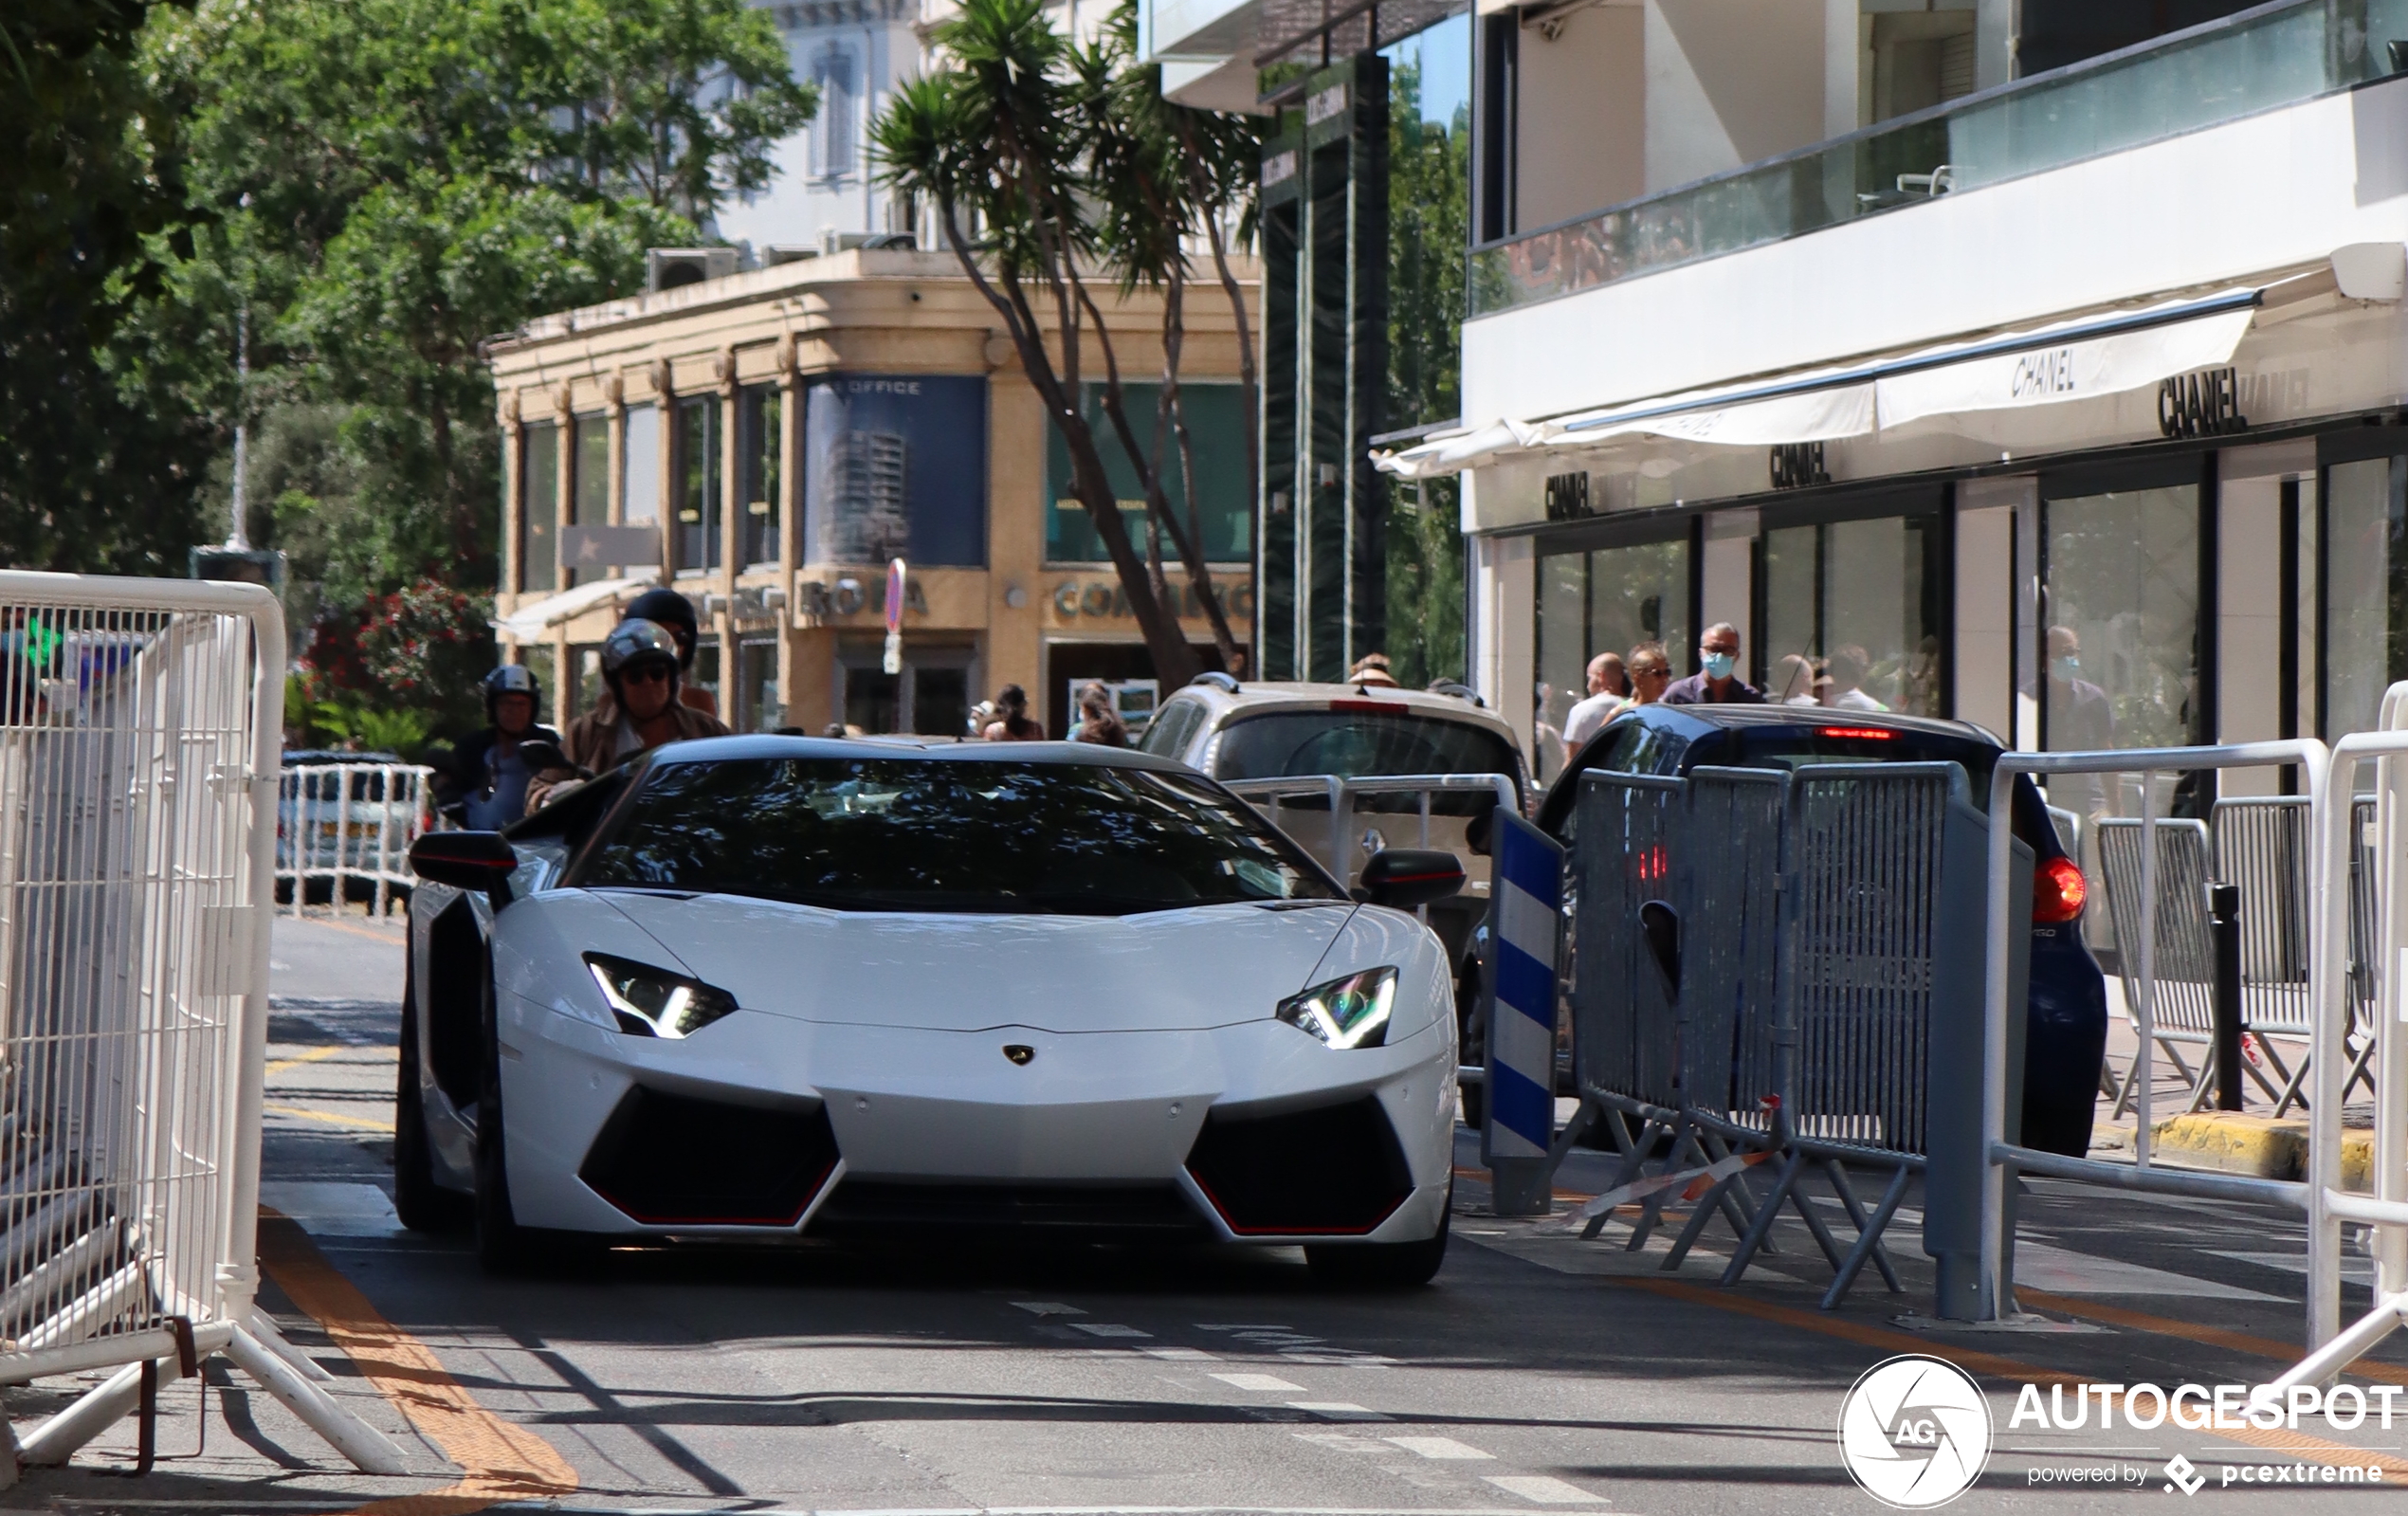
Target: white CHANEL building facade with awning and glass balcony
[{"x": 2029, "y": 365}]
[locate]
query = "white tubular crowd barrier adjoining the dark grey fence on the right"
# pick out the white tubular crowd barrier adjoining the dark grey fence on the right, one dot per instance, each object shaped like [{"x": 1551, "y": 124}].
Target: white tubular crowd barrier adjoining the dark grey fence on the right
[{"x": 2002, "y": 1002}]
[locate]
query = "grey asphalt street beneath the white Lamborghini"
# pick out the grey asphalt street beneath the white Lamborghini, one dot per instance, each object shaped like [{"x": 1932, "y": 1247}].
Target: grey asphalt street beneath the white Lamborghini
[{"x": 1540, "y": 1370}]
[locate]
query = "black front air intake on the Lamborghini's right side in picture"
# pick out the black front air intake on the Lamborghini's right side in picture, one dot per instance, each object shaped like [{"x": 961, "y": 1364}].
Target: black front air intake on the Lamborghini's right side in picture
[{"x": 1335, "y": 1171}]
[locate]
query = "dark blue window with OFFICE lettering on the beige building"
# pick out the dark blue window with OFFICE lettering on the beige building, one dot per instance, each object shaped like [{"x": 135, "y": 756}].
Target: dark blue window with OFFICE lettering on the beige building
[{"x": 897, "y": 468}]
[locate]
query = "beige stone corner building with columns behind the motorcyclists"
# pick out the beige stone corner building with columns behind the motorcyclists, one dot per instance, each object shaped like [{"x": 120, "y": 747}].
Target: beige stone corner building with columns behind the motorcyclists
[{"x": 772, "y": 442}]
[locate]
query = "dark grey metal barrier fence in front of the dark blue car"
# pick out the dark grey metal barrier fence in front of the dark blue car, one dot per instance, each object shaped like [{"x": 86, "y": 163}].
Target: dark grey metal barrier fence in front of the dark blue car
[{"x": 1781, "y": 969}]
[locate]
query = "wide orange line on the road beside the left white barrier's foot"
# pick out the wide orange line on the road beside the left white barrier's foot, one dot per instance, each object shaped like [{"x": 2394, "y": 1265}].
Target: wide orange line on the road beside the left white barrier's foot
[{"x": 497, "y": 1459}]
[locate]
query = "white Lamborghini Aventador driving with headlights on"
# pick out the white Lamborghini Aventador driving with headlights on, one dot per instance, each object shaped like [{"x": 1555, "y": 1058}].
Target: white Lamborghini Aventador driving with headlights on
[{"x": 772, "y": 988}]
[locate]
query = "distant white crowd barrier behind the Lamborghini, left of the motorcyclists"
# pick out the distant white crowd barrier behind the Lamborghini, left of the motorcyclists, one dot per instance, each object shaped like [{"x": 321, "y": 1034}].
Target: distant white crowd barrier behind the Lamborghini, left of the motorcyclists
[{"x": 350, "y": 824}]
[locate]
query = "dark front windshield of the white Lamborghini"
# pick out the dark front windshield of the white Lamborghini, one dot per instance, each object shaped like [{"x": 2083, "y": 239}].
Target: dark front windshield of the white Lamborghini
[{"x": 945, "y": 836}]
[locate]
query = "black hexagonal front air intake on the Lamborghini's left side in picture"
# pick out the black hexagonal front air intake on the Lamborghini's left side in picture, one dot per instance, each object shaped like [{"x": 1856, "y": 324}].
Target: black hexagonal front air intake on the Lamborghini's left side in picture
[{"x": 704, "y": 1163}]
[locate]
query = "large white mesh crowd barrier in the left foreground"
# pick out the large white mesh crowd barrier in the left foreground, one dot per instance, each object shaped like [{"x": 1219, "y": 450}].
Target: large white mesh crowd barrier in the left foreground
[{"x": 138, "y": 752}]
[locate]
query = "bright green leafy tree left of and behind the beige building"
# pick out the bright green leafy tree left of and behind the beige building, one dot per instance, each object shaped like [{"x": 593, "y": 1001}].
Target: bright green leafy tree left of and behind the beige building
[{"x": 386, "y": 184}]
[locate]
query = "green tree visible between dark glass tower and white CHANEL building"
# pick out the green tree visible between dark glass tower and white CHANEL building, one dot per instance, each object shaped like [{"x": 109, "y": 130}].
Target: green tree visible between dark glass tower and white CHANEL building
[{"x": 1429, "y": 232}]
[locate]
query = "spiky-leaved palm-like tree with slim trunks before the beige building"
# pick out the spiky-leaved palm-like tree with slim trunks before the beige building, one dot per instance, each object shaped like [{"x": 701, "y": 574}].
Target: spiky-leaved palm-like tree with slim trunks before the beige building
[{"x": 1053, "y": 167}]
